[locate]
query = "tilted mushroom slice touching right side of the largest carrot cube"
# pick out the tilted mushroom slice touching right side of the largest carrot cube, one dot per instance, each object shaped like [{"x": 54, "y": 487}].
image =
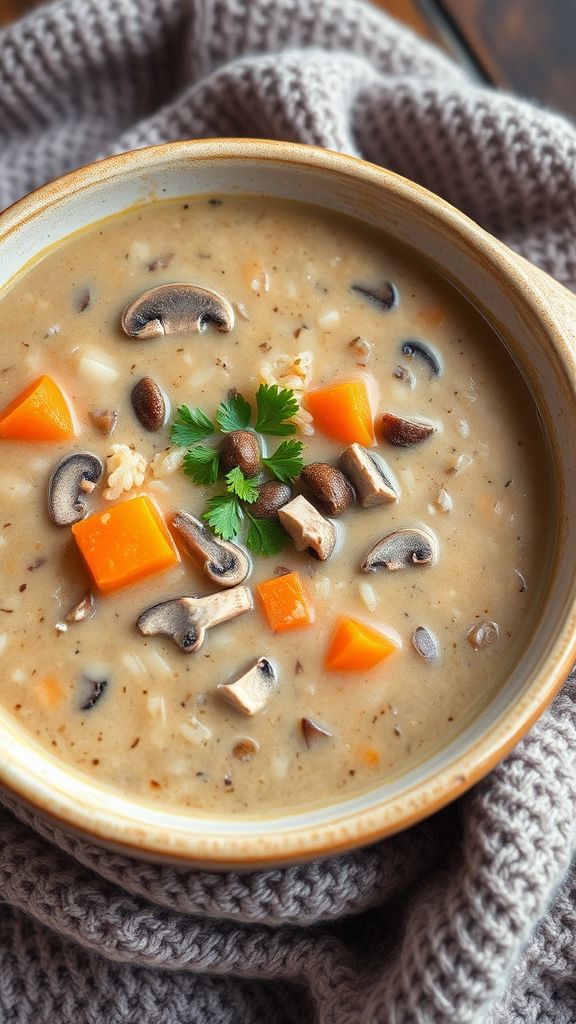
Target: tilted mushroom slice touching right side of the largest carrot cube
[{"x": 224, "y": 563}]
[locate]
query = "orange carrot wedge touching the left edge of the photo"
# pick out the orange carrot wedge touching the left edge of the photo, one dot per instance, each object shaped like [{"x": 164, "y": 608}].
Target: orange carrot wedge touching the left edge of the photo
[{"x": 40, "y": 413}]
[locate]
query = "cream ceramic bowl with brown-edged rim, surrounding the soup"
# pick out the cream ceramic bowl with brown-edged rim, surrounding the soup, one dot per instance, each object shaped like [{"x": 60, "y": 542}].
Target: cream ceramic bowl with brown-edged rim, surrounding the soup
[{"x": 537, "y": 320}]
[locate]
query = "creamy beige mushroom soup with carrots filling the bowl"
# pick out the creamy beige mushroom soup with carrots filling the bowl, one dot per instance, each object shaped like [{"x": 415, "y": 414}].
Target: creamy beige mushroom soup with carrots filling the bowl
[{"x": 386, "y": 644}]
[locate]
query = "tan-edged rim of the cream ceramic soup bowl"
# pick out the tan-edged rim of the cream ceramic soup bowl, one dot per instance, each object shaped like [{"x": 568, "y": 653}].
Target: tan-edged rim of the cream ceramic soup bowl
[{"x": 366, "y": 826}]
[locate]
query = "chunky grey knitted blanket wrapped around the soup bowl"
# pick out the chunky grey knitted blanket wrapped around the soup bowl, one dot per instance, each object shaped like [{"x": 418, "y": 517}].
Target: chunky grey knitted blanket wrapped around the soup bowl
[{"x": 470, "y": 918}]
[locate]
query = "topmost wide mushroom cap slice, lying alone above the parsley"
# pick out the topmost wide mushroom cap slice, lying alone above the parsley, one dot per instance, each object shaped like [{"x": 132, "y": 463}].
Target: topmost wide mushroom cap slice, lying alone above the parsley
[{"x": 176, "y": 310}]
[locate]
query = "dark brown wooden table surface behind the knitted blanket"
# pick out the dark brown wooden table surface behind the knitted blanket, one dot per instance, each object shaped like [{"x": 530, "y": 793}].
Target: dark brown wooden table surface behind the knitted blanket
[{"x": 524, "y": 46}]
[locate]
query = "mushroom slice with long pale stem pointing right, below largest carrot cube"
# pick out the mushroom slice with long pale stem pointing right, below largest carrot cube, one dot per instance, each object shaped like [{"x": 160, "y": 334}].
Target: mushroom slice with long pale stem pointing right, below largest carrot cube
[{"x": 186, "y": 620}]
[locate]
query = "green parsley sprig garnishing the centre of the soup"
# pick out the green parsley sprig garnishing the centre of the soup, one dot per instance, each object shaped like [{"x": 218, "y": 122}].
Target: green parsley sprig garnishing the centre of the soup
[{"x": 228, "y": 514}]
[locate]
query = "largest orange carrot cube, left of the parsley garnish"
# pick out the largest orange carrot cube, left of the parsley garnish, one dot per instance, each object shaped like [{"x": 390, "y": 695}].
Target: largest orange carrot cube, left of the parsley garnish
[{"x": 127, "y": 543}]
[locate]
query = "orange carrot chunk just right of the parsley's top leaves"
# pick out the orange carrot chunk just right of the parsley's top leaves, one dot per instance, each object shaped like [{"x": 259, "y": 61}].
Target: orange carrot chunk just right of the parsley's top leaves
[{"x": 343, "y": 412}]
